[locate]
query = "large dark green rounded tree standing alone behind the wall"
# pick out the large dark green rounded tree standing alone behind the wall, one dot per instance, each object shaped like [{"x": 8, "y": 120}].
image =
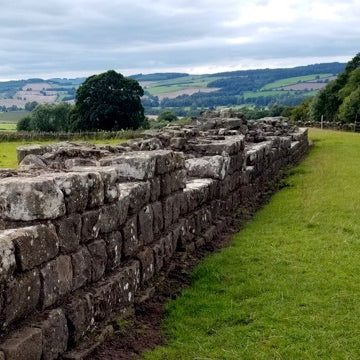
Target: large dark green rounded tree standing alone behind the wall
[{"x": 109, "y": 101}]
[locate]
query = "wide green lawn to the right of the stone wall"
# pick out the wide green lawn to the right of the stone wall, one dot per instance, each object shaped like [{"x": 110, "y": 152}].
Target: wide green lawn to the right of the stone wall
[{"x": 289, "y": 285}]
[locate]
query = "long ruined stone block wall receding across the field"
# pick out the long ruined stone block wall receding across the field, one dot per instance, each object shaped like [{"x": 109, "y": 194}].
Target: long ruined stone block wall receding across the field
[{"x": 85, "y": 230}]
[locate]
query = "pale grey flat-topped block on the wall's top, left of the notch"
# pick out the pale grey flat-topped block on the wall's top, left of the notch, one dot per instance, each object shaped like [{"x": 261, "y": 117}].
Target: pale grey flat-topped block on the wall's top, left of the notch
[{"x": 136, "y": 165}]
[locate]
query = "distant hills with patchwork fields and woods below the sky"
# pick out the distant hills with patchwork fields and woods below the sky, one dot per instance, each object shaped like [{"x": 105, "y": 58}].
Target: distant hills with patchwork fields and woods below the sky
[{"x": 182, "y": 92}]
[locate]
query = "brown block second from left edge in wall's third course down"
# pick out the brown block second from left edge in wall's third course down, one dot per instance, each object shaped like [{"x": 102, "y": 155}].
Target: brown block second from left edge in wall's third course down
[{"x": 57, "y": 279}]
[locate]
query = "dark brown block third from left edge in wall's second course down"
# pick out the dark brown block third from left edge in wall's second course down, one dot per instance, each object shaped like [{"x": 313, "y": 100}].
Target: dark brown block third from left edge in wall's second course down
[{"x": 69, "y": 233}]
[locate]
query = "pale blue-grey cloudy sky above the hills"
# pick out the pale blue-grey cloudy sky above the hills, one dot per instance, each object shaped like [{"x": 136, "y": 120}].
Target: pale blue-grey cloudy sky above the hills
[{"x": 74, "y": 38}]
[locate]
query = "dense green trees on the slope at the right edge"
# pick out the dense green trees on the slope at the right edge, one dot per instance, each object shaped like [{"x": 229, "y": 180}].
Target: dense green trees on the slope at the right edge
[{"x": 338, "y": 101}]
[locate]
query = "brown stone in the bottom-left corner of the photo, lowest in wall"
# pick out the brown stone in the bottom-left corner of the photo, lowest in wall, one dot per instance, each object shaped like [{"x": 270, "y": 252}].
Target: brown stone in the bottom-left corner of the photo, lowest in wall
[{"x": 25, "y": 344}]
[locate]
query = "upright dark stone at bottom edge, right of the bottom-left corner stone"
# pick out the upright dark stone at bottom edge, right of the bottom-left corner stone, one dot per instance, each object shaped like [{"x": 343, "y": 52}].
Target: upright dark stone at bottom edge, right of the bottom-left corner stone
[{"x": 55, "y": 334}]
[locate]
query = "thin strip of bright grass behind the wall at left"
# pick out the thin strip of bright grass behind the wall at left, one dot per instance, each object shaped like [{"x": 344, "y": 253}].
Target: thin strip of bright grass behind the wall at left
[{"x": 8, "y": 157}]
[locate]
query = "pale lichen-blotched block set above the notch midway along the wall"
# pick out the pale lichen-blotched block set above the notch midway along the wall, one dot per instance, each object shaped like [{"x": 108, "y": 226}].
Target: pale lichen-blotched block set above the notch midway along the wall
[{"x": 215, "y": 167}]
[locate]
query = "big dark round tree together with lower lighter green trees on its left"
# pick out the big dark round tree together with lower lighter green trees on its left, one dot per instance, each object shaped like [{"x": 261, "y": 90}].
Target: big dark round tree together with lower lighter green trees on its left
[{"x": 107, "y": 101}]
